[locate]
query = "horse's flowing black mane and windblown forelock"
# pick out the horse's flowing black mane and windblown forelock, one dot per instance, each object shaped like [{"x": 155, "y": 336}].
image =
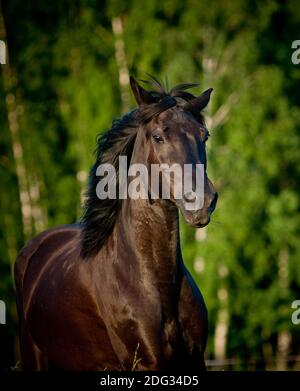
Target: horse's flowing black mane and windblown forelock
[{"x": 99, "y": 216}]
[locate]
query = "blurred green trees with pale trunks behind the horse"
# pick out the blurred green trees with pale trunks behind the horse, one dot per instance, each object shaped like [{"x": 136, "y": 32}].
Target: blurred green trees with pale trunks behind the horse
[{"x": 67, "y": 77}]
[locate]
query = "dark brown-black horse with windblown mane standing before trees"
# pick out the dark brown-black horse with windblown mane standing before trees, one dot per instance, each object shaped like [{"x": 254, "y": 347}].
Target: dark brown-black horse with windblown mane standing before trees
[{"x": 112, "y": 292}]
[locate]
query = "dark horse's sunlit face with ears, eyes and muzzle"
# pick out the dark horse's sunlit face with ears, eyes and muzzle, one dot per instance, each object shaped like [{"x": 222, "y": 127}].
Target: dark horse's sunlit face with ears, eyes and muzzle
[{"x": 176, "y": 136}]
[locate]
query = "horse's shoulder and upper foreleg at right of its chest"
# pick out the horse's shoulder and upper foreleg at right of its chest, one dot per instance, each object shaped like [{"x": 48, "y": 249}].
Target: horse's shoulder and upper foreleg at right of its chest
[{"x": 192, "y": 316}]
